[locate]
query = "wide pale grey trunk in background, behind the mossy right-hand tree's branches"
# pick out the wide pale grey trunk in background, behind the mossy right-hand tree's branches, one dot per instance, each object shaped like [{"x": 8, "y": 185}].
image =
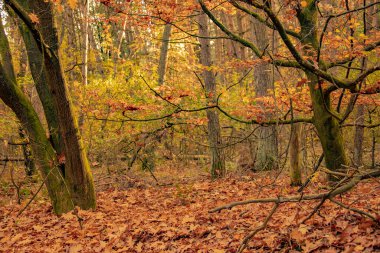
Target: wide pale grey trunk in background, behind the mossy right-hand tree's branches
[{"x": 267, "y": 151}]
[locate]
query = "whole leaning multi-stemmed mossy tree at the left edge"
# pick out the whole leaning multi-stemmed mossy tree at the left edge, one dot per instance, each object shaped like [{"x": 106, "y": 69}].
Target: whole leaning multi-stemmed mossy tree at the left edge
[{"x": 63, "y": 161}]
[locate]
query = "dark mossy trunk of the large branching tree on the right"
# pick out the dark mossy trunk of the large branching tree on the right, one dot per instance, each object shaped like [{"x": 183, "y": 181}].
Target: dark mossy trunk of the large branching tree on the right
[{"x": 326, "y": 123}]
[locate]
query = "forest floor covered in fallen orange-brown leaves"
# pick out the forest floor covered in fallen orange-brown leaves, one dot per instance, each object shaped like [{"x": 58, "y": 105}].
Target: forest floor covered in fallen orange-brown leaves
[{"x": 142, "y": 217}]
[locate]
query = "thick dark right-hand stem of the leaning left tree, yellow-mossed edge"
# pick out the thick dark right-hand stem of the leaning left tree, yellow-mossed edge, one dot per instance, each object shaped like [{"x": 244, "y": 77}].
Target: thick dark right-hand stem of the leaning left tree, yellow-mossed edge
[{"x": 77, "y": 170}]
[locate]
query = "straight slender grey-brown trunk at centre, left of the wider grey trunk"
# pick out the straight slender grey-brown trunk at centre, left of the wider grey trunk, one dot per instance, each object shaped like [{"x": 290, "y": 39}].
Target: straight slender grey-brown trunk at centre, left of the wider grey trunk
[{"x": 218, "y": 168}]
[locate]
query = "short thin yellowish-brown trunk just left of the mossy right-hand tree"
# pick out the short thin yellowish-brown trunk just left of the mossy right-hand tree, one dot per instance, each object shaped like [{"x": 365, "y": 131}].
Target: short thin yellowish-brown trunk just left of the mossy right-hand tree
[{"x": 295, "y": 156}]
